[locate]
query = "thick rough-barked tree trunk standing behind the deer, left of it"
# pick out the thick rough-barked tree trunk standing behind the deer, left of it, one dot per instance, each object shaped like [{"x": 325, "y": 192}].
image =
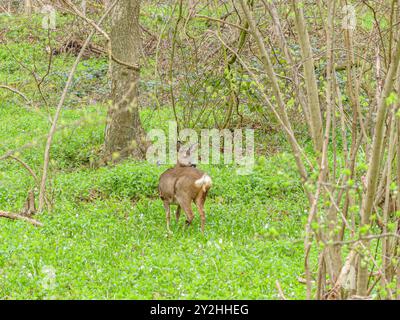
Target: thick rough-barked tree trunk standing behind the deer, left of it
[{"x": 124, "y": 134}]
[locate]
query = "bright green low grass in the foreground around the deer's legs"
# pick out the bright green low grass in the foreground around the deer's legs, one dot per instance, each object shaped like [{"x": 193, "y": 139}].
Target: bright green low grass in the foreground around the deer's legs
[{"x": 106, "y": 238}]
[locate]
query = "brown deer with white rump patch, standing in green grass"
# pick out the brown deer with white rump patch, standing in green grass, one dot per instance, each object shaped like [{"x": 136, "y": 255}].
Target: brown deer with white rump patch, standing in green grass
[{"x": 183, "y": 184}]
